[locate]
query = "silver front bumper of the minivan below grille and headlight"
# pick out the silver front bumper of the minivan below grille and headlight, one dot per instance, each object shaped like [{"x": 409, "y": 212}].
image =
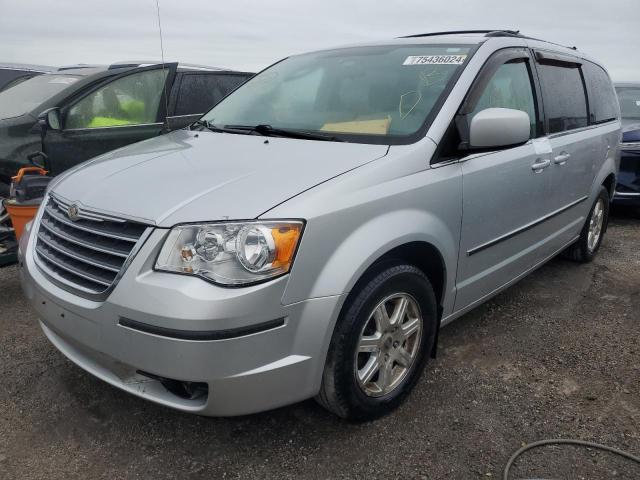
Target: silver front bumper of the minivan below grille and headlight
[{"x": 244, "y": 374}]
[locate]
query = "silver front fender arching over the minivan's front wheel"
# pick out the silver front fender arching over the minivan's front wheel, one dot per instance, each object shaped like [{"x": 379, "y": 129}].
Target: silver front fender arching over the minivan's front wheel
[{"x": 356, "y": 223}]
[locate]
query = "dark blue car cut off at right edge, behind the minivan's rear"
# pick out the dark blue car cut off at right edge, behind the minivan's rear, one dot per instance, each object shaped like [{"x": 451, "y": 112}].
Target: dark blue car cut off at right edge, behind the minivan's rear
[{"x": 628, "y": 188}]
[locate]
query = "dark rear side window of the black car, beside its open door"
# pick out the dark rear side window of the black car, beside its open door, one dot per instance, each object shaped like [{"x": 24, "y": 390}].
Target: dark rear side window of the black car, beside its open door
[{"x": 200, "y": 92}]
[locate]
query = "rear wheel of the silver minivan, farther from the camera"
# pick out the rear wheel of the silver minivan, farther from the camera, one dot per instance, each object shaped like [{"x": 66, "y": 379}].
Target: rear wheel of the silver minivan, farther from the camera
[{"x": 586, "y": 247}]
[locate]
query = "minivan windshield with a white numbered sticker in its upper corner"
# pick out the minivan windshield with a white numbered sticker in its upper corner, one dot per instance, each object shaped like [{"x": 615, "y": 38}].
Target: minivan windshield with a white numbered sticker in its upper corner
[{"x": 380, "y": 94}]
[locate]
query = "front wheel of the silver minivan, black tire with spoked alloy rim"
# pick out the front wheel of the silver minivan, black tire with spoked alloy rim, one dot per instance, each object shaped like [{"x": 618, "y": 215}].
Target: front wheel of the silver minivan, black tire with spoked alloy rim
[{"x": 380, "y": 344}]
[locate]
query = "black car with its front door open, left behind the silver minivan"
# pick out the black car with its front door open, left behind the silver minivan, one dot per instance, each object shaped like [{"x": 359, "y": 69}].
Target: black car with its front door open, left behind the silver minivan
[{"x": 63, "y": 118}]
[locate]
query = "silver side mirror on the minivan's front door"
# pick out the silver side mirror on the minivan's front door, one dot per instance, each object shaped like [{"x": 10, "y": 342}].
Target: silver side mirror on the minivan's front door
[{"x": 499, "y": 127}]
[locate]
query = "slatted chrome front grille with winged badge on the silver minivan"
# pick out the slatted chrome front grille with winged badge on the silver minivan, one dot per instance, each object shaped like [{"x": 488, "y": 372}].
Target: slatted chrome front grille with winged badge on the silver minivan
[{"x": 87, "y": 253}]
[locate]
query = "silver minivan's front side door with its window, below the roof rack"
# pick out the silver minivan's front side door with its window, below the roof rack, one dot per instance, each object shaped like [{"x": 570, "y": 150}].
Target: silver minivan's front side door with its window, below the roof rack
[{"x": 506, "y": 193}]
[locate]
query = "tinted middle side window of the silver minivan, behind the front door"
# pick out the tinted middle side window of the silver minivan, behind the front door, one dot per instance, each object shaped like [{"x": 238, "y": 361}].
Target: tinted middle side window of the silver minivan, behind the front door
[{"x": 565, "y": 101}]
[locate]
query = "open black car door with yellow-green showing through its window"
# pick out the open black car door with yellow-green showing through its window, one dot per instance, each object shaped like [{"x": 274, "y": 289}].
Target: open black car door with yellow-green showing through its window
[{"x": 128, "y": 108}]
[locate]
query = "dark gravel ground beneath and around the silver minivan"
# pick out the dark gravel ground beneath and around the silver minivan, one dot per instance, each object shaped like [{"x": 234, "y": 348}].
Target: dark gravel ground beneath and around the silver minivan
[{"x": 557, "y": 355}]
